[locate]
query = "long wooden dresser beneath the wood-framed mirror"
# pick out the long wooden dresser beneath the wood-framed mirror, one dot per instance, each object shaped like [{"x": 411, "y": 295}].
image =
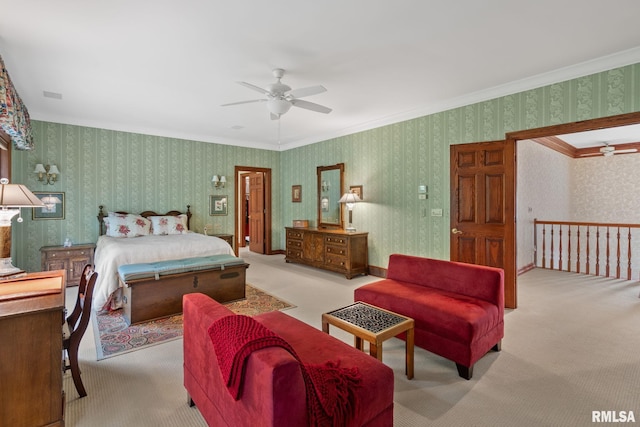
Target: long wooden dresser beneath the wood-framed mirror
[{"x": 334, "y": 250}]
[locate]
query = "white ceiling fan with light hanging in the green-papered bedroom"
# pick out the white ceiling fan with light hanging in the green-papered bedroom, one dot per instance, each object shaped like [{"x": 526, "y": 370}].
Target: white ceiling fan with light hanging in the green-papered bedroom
[{"x": 280, "y": 97}]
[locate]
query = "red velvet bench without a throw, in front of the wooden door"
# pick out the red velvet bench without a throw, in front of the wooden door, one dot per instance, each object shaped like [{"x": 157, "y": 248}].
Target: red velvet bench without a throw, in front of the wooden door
[{"x": 458, "y": 308}]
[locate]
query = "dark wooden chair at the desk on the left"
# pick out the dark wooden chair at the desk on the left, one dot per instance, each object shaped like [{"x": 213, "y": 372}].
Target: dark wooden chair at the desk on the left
[{"x": 76, "y": 323}]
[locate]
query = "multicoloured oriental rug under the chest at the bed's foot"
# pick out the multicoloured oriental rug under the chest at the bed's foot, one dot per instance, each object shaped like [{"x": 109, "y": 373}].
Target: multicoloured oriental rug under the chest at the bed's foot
[{"x": 114, "y": 337}]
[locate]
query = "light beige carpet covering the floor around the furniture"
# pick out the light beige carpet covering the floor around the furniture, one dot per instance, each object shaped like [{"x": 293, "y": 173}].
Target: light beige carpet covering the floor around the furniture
[{"x": 572, "y": 347}]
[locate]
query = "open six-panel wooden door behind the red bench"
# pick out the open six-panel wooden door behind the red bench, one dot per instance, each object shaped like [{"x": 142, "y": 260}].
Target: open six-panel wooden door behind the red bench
[{"x": 483, "y": 208}]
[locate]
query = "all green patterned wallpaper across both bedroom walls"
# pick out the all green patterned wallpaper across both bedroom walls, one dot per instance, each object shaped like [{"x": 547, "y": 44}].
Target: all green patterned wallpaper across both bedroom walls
[{"x": 134, "y": 172}]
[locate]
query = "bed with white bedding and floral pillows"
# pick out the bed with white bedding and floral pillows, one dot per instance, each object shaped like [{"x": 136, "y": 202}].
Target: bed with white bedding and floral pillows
[{"x": 145, "y": 238}]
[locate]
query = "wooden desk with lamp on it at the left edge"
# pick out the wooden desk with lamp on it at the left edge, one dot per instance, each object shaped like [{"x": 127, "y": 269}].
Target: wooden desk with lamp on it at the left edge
[{"x": 31, "y": 314}]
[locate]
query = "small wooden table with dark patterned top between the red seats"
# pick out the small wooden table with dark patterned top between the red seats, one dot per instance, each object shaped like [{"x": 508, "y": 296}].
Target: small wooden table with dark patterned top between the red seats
[{"x": 375, "y": 325}]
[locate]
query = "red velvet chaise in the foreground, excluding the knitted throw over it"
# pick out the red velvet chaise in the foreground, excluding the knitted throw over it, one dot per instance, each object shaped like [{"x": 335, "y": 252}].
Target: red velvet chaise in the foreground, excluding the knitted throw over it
[{"x": 274, "y": 392}]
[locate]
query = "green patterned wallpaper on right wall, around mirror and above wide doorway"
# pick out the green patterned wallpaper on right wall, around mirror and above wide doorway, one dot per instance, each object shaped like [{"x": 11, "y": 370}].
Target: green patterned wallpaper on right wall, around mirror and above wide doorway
[{"x": 391, "y": 161}]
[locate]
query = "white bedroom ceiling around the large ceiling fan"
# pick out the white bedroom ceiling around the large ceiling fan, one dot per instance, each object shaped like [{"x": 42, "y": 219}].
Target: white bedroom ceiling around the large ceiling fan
[{"x": 164, "y": 67}]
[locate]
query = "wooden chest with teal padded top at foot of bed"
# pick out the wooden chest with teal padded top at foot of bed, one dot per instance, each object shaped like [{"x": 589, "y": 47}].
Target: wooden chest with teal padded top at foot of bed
[{"x": 160, "y": 295}]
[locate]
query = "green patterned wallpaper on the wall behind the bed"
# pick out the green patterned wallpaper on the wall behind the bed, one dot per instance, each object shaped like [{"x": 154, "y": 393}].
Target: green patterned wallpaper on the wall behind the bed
[{"x": 125, "y": 171}]
